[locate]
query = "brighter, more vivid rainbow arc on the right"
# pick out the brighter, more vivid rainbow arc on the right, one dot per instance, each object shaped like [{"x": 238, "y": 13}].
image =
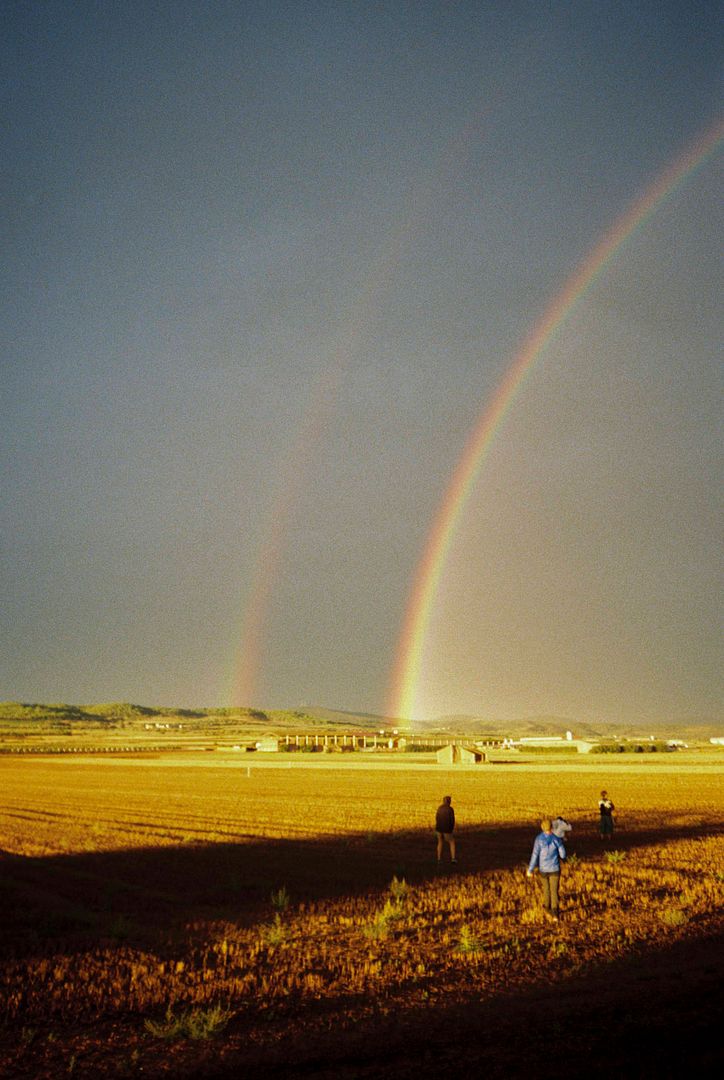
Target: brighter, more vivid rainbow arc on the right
[{"x": 407, "y": 671}]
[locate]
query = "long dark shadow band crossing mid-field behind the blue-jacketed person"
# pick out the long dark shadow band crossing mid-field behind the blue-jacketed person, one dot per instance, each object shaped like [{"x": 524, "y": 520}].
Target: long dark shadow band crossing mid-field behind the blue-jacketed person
[{"x": 146, "y": 898}]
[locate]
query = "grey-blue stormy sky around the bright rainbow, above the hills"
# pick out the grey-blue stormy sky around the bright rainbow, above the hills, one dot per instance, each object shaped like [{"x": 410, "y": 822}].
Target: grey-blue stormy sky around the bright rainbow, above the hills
[{"x": 265, "y": 265}]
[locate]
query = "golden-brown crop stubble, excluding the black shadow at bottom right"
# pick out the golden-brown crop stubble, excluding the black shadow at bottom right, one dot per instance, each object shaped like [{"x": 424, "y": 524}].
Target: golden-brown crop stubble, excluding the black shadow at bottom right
[{"x": 160, "y": 882}]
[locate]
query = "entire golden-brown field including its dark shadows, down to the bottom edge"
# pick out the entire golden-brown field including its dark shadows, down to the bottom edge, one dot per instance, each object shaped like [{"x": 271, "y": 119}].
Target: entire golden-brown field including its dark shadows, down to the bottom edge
[{"x": 183, "y": 916}]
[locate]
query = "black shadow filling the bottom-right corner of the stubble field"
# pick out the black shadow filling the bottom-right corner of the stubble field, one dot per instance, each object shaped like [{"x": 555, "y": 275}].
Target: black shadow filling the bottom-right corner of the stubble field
[{"x": 654, "y": 1016}]
